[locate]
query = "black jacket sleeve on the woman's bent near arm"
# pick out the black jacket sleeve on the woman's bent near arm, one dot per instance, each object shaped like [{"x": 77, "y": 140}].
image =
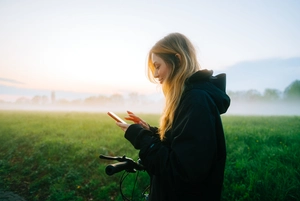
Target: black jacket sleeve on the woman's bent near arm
[{"x": 192, "y": 149}]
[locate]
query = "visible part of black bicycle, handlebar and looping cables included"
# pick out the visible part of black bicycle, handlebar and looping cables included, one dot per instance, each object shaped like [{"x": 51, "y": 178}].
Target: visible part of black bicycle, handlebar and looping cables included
[{"x": 127, "y": 165}]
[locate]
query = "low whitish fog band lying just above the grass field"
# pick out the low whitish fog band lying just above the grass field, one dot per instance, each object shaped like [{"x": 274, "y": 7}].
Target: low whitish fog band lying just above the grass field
[{"x": 236, "y": 107}]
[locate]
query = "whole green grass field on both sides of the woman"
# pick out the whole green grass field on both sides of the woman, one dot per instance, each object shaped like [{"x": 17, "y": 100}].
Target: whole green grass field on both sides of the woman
[{"x": 55, "y": 156}]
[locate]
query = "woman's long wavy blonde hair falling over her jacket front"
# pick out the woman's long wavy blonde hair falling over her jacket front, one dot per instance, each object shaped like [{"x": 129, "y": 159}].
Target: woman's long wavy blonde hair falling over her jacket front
[{"x": 179, "y": 54}]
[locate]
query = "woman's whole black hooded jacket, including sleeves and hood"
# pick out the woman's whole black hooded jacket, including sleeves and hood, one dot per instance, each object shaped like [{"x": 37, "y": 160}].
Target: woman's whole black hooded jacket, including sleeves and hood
[{"x": 189, "y": 164}]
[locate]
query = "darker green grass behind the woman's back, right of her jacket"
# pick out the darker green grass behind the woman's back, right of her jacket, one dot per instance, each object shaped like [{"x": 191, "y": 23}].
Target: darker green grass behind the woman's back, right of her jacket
[{"x": 263, "y": 158}]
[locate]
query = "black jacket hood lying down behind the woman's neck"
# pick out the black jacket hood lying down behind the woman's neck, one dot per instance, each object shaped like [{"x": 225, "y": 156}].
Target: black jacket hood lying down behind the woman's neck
[{"x": 215, "y": 86}]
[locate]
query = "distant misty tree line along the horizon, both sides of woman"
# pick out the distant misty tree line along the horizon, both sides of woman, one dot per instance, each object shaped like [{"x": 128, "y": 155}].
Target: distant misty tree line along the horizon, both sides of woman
[{"x": 291, "y": 93}]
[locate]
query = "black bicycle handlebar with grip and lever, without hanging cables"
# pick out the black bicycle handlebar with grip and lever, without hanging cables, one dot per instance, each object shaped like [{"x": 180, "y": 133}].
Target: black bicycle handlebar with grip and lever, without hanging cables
[{"x": 124, "y": 163}]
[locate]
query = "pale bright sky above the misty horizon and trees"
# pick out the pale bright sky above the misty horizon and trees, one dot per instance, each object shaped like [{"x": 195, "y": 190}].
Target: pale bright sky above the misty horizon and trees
[{"x": 97, "y": 46}]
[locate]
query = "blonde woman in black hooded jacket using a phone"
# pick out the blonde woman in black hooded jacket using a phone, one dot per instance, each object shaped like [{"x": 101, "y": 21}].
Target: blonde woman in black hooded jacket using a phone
[{"x": 186, "y": 156}]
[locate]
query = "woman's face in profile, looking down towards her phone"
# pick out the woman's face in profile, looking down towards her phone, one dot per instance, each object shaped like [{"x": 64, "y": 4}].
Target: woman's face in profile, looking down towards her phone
[{"x": 162, "y": 70}]
